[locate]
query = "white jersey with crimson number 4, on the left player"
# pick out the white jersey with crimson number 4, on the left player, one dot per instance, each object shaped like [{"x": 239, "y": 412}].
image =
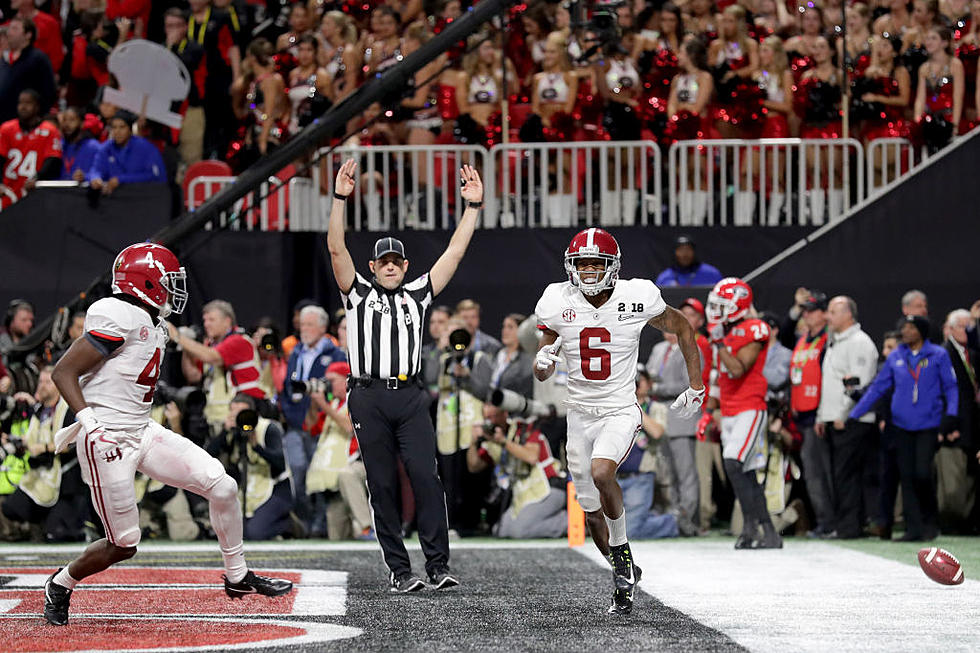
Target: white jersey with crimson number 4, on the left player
[{"x": 120, "y": 389}]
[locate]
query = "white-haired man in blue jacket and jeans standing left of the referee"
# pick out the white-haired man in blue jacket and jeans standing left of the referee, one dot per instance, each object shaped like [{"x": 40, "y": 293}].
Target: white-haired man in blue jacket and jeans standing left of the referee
[{"x": 308, "y": 360}]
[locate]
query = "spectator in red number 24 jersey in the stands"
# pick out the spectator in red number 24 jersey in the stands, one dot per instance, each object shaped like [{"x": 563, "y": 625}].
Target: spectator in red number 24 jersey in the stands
[{"x": 30, "y": 147}]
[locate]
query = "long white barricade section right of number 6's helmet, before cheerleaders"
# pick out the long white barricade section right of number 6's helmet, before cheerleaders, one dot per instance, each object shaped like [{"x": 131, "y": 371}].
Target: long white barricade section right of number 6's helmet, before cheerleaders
[{"x": 764, "y": 182}]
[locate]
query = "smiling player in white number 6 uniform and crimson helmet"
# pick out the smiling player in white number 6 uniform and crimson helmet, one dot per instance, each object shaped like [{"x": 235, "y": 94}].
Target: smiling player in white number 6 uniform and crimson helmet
[{"x": 594, "y": 321}]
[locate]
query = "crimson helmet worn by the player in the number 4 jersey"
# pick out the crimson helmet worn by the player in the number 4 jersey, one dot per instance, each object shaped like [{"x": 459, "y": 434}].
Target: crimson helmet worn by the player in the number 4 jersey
[{"x": 152, "y": 274}]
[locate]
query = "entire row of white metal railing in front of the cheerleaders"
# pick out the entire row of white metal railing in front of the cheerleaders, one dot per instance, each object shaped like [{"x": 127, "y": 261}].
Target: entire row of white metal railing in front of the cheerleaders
[{"x": 767, "y": 182}]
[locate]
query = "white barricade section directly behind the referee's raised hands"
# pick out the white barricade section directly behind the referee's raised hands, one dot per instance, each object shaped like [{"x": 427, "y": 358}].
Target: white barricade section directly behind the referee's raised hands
[{"x": 405, "y": 186}]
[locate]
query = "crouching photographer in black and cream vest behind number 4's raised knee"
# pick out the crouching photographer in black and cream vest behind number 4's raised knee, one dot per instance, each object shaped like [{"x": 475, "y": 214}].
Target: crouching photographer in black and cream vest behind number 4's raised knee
[{"x": 265, "y": 477}]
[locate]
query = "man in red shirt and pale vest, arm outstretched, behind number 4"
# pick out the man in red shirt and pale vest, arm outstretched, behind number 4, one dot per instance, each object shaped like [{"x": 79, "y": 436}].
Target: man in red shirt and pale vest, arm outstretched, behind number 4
[{"x": 227, "y": 349}]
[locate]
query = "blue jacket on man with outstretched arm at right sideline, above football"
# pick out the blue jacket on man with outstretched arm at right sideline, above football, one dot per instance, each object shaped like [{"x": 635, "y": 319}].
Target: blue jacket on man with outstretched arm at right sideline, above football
[{"x": 938, "y": 393}]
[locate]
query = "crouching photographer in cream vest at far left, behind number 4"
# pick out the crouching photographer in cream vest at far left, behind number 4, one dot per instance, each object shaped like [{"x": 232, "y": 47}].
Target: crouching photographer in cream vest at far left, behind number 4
[{"x": 49, "y": 496}]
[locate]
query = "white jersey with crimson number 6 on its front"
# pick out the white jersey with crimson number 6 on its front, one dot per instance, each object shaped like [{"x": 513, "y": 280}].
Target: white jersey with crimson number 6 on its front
[{"x": 600, "y": 345}]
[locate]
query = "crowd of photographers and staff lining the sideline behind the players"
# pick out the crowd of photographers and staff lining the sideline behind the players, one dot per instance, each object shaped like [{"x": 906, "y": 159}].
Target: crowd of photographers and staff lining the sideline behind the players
[{"x": 849, "y": 424}]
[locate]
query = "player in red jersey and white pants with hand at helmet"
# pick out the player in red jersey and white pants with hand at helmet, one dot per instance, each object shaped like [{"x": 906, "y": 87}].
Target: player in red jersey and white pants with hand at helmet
[{"x": 742, "y": 343}]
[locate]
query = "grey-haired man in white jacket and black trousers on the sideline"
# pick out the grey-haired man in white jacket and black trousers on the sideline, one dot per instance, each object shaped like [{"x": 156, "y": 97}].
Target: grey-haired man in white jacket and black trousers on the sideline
[{"x": 848, "y": 366}]
